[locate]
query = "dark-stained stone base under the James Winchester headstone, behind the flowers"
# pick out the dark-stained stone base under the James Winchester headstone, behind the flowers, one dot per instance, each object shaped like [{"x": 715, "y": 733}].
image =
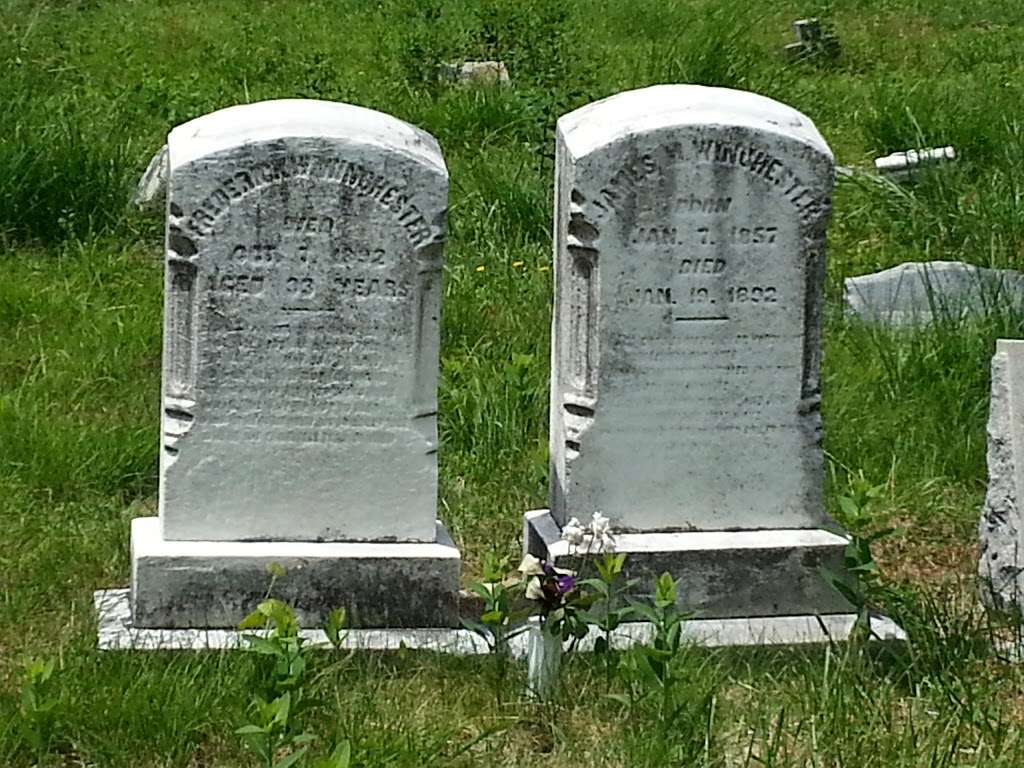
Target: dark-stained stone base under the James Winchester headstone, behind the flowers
[{"x": 724, "y": 574}]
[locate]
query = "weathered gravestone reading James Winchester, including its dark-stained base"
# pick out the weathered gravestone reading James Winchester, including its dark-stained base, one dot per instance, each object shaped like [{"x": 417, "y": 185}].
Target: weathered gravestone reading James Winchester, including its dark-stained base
[{"x": 686, "y": 386}]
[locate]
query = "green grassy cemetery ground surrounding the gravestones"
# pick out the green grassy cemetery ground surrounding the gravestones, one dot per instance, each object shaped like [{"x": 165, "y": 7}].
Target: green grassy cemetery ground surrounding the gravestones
[{"x": 88, "y": 94}]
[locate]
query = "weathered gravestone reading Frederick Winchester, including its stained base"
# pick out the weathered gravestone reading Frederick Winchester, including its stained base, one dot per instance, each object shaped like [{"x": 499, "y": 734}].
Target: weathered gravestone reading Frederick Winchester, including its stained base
[{"x": 301, "y": 362}]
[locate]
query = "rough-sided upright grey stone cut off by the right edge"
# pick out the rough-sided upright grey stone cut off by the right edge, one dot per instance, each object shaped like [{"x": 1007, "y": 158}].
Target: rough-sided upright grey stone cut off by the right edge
[{"x": 1001, "y": 566}]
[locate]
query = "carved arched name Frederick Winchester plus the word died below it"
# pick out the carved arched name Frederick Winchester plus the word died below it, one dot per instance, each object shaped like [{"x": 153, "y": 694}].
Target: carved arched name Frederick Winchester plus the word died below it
[{"x": 364, "y": 182}]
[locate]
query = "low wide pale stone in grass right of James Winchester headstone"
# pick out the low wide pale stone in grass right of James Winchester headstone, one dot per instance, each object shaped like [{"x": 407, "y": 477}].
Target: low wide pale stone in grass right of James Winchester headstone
[{"x": 920, "y": 292}]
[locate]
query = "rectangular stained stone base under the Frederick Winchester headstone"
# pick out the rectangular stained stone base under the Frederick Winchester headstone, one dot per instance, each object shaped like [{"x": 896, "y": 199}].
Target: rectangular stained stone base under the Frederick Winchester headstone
[{"x": 210, "y": 585}]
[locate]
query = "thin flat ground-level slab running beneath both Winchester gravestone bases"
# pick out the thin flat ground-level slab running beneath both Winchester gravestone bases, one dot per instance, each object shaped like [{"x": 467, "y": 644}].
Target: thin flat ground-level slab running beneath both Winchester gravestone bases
[{"x": 117, "y": 633}]
